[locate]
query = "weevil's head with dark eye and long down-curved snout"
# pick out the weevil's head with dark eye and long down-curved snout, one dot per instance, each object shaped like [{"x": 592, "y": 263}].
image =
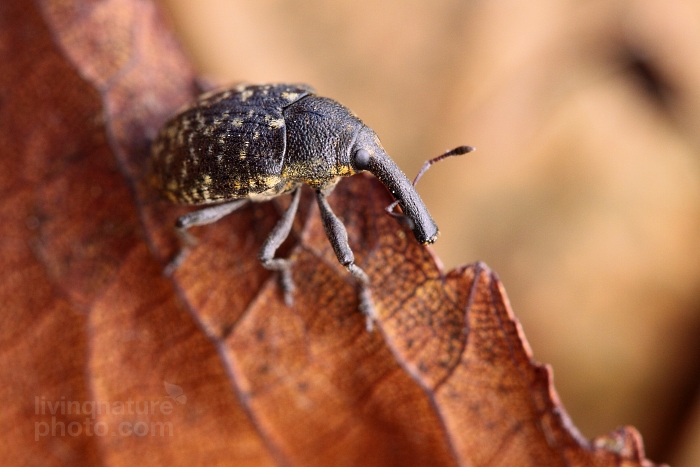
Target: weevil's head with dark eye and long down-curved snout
[{"x": 368, "y": 154}]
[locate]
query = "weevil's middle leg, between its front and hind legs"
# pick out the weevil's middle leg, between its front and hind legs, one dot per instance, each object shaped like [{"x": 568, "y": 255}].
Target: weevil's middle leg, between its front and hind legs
[{"x": 278, "y": 235}]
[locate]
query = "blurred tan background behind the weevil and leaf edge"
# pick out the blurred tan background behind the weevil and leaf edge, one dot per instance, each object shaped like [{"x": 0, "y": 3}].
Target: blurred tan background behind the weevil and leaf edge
[{"x": 584, "y": 193}]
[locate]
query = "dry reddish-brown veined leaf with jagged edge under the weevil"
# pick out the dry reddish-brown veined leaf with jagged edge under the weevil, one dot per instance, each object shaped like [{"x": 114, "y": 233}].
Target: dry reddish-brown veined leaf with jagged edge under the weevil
[{"x": 210, "y": 367}]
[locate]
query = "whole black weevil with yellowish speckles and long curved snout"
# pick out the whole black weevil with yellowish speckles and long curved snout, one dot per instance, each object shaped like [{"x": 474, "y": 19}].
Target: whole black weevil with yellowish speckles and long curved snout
[{"x": 255, "y": 142}]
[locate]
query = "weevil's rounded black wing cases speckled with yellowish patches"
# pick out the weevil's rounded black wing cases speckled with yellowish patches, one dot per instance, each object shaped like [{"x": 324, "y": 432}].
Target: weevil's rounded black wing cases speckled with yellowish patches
[{"x": 228, "y": 144}]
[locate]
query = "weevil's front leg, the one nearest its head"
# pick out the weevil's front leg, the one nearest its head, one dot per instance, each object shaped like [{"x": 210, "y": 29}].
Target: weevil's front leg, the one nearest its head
[{"x": 338, "y": 236}]
